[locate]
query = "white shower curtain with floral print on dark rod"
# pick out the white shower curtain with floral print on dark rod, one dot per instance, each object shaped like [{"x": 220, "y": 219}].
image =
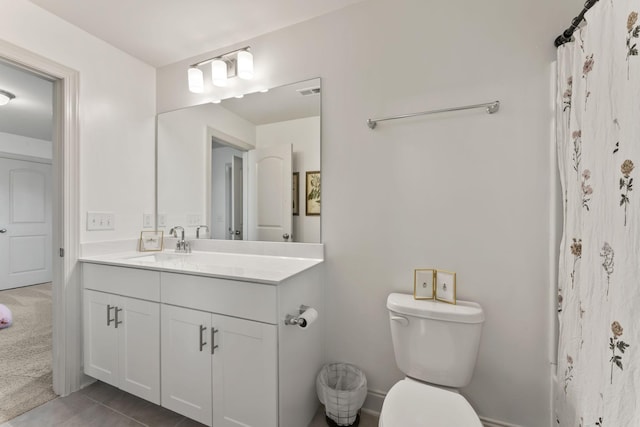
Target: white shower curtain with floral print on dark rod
[{"x": 598, "y": 142}]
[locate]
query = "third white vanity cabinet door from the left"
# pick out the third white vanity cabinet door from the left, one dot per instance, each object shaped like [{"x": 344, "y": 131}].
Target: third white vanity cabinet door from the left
[{"x": 186, "y": 362}]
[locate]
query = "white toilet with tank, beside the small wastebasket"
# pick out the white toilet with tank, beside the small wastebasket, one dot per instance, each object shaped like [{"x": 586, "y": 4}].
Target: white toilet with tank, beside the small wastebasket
[{"x": 436, "y": 346}]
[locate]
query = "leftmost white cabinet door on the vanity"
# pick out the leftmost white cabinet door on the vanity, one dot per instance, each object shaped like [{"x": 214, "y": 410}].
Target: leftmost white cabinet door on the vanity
[{"x": 100, "y": 337}]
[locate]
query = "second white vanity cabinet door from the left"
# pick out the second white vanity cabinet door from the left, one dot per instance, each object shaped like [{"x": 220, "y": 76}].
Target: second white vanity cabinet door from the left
[{"x": 139, "y": 348}]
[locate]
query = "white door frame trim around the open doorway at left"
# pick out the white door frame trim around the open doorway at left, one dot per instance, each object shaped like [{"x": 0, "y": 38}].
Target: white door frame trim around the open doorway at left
[{"x": 67, "y": 328}]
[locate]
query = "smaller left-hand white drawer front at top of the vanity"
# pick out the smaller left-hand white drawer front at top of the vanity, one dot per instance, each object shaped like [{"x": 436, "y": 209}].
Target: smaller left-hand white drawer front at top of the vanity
[{"x": 132, "y": 282}]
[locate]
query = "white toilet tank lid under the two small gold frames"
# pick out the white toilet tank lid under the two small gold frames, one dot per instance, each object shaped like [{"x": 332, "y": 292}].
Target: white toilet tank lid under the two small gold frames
[{"x": 461, "y": 312}]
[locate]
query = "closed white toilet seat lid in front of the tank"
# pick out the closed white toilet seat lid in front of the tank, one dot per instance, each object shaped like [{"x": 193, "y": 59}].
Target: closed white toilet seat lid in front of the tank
[{"x": 410, "y": 403}]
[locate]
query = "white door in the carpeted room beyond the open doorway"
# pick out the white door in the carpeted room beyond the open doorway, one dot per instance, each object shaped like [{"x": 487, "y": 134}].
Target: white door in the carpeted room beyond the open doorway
[{"x": 25, "y": 223}]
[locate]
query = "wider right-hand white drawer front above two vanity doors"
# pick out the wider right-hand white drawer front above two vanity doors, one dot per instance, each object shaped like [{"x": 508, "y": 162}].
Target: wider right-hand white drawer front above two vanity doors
[{"x": 246, "y": 300}]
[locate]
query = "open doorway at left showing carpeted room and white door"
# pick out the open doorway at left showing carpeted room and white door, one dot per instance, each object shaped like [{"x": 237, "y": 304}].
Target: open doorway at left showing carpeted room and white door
[{"x": 26, "y": 245}]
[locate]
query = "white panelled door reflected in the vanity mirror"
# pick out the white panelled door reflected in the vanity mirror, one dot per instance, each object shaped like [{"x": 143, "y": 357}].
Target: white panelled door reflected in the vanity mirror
[{"x": 270, "y": 203}]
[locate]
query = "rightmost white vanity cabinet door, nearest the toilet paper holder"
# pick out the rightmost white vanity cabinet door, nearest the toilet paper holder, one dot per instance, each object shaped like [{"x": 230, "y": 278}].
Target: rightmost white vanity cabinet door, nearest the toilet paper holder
[{"x": 245, "y": 390}]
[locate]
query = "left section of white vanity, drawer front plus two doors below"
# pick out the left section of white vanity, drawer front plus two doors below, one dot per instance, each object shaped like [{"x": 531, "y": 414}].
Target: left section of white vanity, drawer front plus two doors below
[{"x": 121, "y": 333}]
